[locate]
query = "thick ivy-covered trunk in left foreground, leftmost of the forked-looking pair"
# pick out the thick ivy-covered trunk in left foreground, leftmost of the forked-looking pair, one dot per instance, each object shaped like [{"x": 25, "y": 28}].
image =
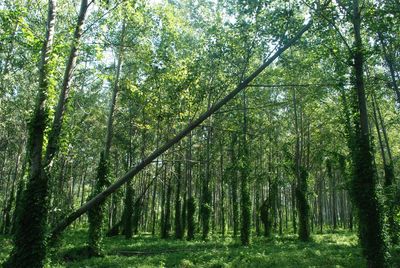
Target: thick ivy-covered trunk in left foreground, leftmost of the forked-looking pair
[{"x": 30, "y": 246}]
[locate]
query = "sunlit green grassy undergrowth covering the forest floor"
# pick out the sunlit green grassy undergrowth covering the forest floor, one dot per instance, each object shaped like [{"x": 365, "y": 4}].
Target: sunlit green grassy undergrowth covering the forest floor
[{"x": 338, "y": 249}]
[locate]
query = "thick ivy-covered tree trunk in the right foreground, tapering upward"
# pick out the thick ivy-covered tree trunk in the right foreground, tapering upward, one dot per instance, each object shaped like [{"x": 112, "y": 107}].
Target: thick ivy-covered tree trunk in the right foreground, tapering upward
[{"x": 363, "y": 184}]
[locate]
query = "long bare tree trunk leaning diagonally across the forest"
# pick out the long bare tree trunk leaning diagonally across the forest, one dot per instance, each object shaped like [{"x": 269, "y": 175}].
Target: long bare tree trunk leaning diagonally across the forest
[{"x": 156, "y": 153}]
